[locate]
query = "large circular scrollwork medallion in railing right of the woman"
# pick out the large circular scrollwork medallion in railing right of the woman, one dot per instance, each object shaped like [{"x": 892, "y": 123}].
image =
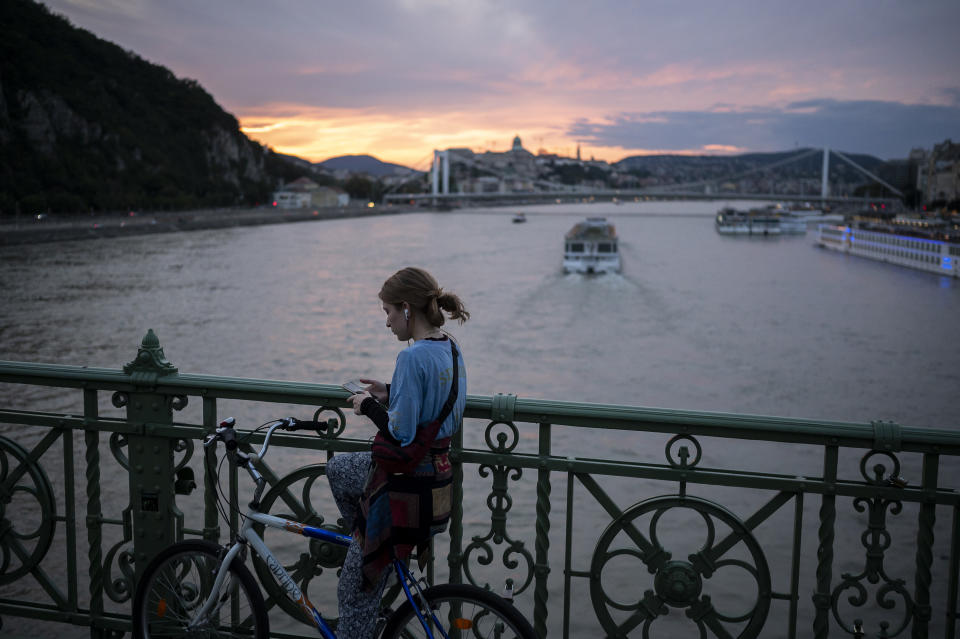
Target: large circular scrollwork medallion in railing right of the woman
[{"x": 679, "y": 583}]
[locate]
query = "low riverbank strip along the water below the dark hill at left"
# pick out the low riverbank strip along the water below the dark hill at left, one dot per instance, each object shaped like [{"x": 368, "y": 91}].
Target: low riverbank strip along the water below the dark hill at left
[{"x": 59, "y": 228}]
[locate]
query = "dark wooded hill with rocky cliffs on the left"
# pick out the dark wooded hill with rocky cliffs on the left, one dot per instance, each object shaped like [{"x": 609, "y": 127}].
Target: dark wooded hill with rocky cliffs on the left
[{"x": 88, "y": 126}]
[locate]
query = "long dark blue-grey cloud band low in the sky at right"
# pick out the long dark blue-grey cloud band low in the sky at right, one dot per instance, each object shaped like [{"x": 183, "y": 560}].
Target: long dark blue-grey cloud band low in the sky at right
[{"x": 882, "y": 128}]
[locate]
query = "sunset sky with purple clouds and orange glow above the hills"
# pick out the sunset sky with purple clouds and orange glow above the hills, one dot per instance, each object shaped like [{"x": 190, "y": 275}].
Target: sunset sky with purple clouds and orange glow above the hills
[{"x": 396, "y": 80}]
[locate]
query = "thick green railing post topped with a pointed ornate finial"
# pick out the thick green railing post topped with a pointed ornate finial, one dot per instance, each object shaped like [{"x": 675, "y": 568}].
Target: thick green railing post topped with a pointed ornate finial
[{"x": 150, "y": 457}]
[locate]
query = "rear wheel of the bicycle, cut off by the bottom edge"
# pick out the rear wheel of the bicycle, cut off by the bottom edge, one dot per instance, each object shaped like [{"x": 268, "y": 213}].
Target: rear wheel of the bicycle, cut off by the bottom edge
[{"x": 482, "y": 614}]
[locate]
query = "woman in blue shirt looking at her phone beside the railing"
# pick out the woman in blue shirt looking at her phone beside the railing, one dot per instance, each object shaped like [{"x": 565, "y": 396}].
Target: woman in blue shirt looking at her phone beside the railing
[{"x": 415, "y": 416}]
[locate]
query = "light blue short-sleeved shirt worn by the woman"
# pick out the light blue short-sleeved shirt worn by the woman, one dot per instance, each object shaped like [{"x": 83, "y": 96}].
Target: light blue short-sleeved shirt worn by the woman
[{"x": 420, "y": 387}]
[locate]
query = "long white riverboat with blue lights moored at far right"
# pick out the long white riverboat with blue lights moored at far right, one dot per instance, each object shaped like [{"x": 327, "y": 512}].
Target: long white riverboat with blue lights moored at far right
[{"x": 914, "y": 243}]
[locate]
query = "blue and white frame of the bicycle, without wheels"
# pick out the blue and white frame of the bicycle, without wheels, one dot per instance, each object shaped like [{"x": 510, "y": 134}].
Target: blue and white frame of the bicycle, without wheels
[{"x": 248, "y": 534}]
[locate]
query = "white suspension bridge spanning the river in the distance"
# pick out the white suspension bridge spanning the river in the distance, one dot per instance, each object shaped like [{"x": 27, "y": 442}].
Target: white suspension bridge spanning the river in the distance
[{"x": 440, "y": 194}]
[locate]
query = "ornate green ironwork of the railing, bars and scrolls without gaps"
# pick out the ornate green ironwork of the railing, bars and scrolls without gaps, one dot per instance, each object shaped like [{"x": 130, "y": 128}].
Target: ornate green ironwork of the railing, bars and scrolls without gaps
[{"x": 682, "y": 584}]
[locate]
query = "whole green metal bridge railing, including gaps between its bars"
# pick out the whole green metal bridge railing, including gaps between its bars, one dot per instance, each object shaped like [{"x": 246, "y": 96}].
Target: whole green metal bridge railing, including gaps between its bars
[{"x": 847, "y": 547}]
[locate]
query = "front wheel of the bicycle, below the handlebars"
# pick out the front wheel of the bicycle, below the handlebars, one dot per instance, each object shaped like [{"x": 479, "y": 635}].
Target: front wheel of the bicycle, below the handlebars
[{"x": 177, "y": 581}]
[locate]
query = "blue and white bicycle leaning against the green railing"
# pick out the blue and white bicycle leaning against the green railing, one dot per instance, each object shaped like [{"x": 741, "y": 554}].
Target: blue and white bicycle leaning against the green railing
[{"x": 196, "y": 588}]
